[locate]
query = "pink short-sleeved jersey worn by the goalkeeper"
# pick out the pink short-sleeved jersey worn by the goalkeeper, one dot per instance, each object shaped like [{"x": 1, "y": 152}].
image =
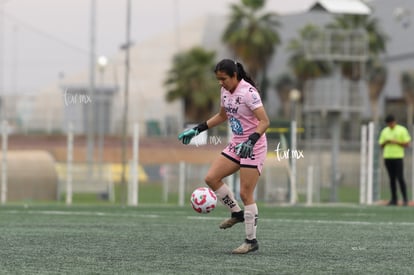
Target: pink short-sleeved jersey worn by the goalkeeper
[{"x": 239, "y": 107}]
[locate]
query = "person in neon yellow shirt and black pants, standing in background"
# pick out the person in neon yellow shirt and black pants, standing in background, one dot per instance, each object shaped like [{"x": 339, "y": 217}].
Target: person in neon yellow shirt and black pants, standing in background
[{"x": 394, "y": 138}]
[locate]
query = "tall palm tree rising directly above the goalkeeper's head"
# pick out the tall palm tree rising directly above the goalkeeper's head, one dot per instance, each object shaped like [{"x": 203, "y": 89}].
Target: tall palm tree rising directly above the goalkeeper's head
[{"x": 252, "y": 36}]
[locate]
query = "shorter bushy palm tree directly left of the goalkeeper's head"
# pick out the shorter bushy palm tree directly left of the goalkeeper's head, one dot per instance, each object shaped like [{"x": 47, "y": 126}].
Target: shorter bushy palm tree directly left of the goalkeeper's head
[{"x": 192, "y": 80}]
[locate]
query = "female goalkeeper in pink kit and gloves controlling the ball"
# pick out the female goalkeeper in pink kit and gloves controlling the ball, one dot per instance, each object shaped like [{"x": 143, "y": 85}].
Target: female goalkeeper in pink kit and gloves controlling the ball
[{"x": 241, "y": 105}]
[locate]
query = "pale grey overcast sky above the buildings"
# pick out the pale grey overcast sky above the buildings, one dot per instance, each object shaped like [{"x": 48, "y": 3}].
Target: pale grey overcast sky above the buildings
[{"x": 43, "y": 38}]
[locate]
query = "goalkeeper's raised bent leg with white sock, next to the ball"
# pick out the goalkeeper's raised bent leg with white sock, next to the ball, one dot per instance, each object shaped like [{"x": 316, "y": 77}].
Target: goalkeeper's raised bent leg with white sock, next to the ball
[{"x": 221, "y": 168}]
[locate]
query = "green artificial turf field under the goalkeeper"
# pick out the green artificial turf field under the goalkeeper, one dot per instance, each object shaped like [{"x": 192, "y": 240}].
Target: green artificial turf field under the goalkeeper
[{"x": 57, "y": 239}]
